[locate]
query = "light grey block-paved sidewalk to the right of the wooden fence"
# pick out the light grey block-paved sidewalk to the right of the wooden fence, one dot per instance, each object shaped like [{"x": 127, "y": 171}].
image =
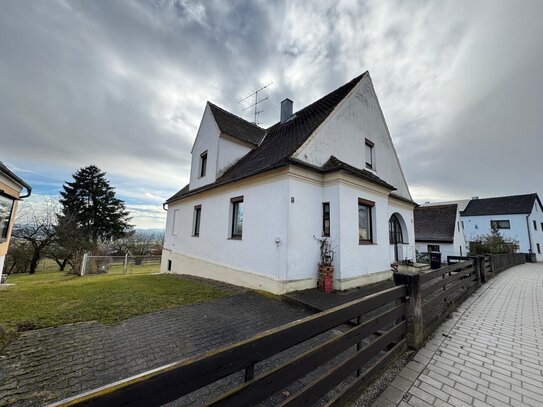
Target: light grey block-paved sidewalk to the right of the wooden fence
[{"x": 490, "y": 353}]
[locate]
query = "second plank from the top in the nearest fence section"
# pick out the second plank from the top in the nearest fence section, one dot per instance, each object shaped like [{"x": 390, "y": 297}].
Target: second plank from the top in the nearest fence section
[{"x": 251, "y": 393}]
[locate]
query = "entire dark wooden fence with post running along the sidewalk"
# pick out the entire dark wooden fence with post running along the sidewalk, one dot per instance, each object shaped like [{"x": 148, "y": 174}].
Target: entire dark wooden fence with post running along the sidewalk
[{"x": 378, "y": 328}]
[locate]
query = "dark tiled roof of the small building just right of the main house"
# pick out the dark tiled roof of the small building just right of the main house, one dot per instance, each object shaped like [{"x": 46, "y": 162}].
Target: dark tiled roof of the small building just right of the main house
[{"x": 435, "y": 223}]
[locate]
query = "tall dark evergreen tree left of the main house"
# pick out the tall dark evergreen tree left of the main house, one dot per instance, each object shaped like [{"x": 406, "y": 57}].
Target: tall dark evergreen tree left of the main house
[{"x": 89, "y": 200}]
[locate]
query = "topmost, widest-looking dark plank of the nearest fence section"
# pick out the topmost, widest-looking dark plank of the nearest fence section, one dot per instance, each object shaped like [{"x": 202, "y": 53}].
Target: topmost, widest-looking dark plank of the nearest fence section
[{"x": 170, "y": 382}]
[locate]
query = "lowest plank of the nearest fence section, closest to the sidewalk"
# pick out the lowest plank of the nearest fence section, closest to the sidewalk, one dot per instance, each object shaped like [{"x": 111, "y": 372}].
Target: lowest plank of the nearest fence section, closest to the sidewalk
[{"x": 349, "y": 393}]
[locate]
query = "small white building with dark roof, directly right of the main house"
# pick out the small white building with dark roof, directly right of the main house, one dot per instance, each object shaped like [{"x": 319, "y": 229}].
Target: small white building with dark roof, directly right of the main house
[{"x": 438, "y": 229}]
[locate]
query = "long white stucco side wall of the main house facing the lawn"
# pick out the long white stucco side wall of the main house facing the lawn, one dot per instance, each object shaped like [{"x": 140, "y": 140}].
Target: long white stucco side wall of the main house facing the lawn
[{"x": 265, "y": 212}]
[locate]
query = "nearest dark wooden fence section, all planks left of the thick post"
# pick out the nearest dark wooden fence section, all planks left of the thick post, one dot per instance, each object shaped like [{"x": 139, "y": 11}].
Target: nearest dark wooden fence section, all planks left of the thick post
[{"x": 374, "y": 340}]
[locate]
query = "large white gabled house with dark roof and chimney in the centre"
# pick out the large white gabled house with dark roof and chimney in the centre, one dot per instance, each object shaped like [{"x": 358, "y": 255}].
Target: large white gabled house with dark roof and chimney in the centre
[{"x": 258, "y": 198}]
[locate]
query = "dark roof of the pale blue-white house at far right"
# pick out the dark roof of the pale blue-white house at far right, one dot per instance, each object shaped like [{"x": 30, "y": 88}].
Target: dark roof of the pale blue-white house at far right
[{"x": 504, "y": 205}]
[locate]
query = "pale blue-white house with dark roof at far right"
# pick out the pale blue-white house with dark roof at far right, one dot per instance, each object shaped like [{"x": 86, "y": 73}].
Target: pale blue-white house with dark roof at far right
[{"x": 518, "y": 217}]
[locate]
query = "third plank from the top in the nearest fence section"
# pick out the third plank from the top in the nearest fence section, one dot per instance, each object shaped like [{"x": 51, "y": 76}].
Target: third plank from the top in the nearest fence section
[{"x": 311, "y": 393}]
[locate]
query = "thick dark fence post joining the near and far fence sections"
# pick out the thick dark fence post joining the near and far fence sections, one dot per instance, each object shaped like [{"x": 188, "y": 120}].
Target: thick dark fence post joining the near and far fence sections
[{"x": 415, "y": 325}]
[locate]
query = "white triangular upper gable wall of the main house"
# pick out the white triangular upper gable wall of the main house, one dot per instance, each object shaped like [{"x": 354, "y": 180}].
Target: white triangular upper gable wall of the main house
[{"x": 344, "y": 132}]
